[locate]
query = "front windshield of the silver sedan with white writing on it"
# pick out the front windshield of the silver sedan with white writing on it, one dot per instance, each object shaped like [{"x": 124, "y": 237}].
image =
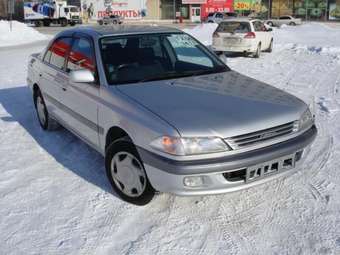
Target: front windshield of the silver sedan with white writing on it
[{"x": 141, "y": 58}]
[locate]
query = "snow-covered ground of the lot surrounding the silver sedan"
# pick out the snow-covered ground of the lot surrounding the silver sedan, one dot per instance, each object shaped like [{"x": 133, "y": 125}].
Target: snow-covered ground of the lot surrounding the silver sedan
[{"x": 55, "y": 198}]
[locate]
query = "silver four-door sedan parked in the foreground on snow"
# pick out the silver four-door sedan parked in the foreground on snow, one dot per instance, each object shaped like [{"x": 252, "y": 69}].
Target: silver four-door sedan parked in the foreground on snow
[{"x": 166, "y": 113}]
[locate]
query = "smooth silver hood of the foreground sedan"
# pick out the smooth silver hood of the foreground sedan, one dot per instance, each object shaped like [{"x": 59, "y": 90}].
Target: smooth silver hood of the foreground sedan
[{"x": 223, "y": 104}]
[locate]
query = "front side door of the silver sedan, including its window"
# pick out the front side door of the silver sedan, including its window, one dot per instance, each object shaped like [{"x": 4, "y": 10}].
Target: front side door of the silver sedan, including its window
[{"x": 81, "y": 99}]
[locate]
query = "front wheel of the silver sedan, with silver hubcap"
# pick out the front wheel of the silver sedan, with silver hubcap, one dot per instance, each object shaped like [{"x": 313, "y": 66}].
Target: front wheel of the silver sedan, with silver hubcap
[{"x": 122, "y": 156}]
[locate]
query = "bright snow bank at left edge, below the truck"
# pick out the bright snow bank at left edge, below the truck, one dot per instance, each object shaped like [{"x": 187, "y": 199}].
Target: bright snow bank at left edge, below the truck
[{"x": 20, "y": 34}]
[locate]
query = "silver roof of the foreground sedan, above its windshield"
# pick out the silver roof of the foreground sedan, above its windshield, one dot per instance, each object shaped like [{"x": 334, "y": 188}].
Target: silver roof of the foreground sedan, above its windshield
[{"x": 97, "y": 31}]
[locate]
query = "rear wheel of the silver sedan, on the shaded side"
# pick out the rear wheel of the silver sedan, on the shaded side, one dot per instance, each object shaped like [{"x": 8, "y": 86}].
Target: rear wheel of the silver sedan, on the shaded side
[{"x": 45, "y": 121}]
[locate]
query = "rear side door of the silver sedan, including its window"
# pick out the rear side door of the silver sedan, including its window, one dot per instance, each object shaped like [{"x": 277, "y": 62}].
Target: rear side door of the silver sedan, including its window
[{"x": 53, "y": 77}]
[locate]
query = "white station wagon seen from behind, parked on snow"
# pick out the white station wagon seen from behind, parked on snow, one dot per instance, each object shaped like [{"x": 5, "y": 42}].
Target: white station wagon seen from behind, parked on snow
[{"x": 243, "y": 36}]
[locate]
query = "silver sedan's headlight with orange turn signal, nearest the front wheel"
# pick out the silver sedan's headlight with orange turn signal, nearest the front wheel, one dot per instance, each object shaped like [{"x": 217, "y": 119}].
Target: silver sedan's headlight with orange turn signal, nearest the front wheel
[{"x": 189, "y": 145}]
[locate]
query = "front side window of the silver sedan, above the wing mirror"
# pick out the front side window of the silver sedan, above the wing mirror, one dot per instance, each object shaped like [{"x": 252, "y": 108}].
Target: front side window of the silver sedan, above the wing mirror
[{"x": 81, "y": 56}]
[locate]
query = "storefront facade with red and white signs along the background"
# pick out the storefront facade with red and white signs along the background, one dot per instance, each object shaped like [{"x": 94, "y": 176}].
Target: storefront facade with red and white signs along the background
[{"x": 197, "y": 10}]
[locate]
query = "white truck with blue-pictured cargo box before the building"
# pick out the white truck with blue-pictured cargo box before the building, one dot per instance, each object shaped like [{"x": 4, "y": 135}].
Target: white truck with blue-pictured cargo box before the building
[{"x": 44, "y": 13}]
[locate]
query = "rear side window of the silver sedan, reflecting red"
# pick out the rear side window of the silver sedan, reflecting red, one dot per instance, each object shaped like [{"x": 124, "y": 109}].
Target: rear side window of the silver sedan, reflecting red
[{"x": 58, "y": 51}]
